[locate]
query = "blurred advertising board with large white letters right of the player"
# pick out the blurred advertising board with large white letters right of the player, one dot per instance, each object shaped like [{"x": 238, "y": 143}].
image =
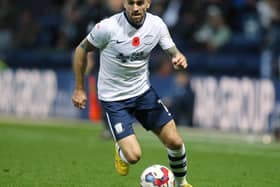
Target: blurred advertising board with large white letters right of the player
[{"x": 234, "y": 104}]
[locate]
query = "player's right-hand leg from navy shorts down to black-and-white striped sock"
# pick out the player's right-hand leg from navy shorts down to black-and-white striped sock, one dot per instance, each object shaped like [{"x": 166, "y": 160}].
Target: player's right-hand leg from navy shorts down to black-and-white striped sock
[{"x": 154, "y": 115}]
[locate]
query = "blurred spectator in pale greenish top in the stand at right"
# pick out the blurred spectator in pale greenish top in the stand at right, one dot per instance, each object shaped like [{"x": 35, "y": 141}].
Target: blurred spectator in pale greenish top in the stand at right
[{"x": 214, "y": 33}]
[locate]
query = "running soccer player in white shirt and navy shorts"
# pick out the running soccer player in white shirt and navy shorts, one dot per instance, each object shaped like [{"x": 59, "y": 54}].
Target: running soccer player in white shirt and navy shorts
[{"x": 125, "y": 41}]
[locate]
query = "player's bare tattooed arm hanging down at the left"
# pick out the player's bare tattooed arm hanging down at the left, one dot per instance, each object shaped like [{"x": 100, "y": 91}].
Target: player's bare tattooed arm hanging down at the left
[{"x": 79, "y": 97}]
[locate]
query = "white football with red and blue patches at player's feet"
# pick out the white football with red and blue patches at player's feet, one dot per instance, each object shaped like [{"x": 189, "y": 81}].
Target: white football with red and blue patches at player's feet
[{"x": 157, "y": 176}]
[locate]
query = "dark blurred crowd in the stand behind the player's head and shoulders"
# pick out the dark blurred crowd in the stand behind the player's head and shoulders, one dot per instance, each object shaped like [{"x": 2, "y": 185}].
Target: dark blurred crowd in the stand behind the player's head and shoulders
[{"x": 210, "y": 25}]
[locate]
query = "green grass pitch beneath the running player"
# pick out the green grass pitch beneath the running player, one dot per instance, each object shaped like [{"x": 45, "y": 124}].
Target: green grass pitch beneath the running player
[{"x": 72, "y": 154}]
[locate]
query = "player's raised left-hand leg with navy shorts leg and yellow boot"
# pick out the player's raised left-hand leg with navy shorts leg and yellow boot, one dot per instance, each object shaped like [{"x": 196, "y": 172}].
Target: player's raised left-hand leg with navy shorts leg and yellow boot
[{"x": 127, "y": 148}]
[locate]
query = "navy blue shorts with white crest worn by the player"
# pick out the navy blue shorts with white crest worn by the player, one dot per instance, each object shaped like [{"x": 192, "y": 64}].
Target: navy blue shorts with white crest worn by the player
[{"x": 147, "y": 109}]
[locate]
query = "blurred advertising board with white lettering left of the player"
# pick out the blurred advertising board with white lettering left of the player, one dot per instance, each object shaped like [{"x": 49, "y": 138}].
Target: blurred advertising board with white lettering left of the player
[{"x": 37, "y": 94}]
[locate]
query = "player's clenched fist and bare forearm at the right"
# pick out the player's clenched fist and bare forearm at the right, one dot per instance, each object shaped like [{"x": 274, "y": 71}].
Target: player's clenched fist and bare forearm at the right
[{"x": 178, "y": 60}]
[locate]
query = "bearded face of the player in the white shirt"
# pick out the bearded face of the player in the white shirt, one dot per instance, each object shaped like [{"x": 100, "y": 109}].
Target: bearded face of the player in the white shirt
[{"x": 136, "y": 10}]
